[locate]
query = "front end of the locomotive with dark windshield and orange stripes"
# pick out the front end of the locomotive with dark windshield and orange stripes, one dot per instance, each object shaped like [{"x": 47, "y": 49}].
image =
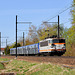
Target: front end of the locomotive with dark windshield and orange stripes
[{"x": 58, "y": 45}]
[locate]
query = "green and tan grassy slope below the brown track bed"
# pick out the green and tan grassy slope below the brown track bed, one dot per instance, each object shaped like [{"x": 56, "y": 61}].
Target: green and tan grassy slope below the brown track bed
[{"x": 28, "y": 68}]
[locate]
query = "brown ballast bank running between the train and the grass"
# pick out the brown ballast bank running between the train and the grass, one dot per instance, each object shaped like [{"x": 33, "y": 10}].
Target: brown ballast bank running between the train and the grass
[{"x": 62, "y": 60}]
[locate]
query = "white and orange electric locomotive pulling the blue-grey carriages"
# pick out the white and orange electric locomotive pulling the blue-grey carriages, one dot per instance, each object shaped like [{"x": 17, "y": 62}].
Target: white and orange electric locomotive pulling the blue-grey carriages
[{"x": 53, "y": 45}]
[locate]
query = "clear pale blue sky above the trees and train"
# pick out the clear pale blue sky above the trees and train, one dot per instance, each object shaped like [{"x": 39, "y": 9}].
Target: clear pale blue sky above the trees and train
[{"x": 34, "y": 11}]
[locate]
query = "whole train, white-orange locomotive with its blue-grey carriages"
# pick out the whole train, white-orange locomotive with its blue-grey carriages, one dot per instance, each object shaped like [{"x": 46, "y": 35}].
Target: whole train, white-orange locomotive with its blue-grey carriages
[{"x": 49, "y": 46}]
